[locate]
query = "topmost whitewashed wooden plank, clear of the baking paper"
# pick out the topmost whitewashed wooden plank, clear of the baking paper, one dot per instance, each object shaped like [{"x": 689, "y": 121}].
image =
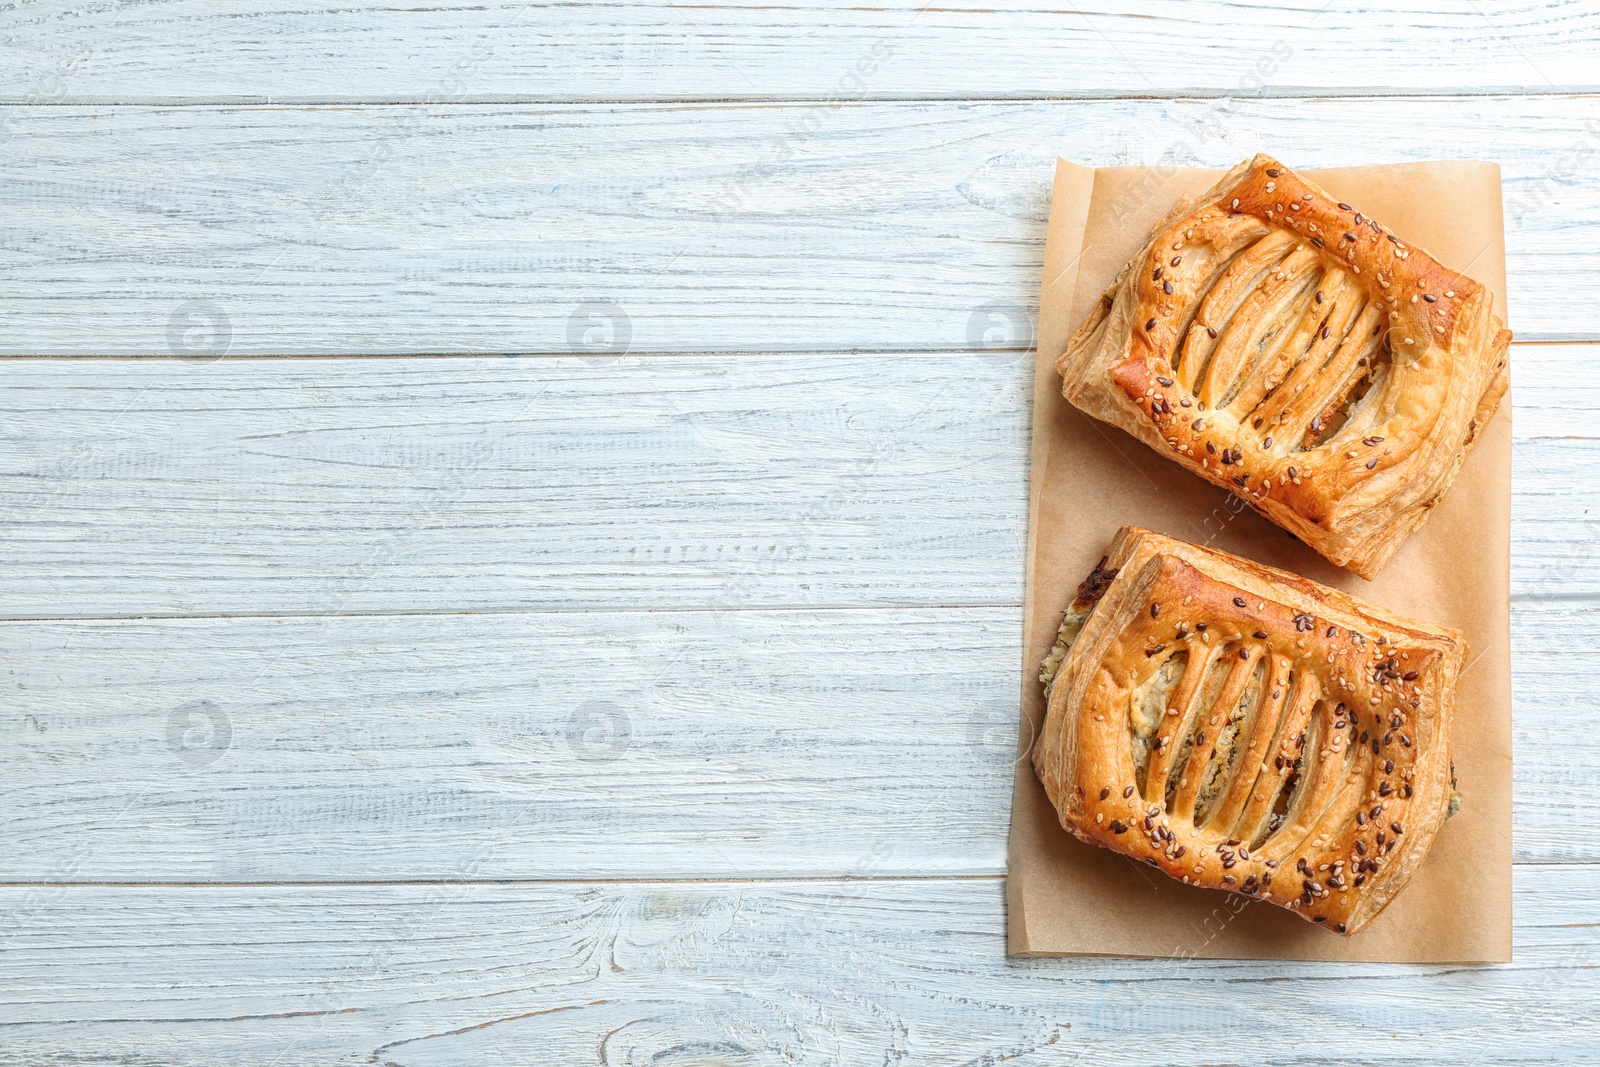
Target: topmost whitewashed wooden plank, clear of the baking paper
[{"x": 468, "y": 50}]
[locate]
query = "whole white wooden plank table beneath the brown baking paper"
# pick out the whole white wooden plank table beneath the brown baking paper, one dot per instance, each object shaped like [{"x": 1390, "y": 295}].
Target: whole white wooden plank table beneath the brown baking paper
[{"x": 487, "y": 644}]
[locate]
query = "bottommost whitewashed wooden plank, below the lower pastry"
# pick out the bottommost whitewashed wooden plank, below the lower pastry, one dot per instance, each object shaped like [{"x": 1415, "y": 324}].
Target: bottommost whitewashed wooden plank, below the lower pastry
[{"x": 732, "y": 975}]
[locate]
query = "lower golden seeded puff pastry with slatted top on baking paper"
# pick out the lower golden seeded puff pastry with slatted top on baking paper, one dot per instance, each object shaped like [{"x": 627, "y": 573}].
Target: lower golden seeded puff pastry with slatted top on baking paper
[{"x": 1247, "y": 730}]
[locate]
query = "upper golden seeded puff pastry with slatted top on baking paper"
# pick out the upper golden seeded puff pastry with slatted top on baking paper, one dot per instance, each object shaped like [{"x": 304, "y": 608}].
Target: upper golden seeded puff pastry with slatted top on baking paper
[{"x": 1287, "y": 348}]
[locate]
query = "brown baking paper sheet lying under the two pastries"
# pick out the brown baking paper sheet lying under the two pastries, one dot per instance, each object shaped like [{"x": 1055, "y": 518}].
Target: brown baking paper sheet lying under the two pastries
[{"x": 1089, "y": 479}]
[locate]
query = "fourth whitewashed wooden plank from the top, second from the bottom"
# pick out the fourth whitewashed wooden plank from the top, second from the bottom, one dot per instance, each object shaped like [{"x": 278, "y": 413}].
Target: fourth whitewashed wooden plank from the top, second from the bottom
[{"x": 585, "y": 746}]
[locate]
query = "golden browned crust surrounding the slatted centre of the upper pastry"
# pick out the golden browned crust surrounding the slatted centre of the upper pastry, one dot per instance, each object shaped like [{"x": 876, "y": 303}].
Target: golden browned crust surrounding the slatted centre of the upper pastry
[{"x": 1353, "y": 500}]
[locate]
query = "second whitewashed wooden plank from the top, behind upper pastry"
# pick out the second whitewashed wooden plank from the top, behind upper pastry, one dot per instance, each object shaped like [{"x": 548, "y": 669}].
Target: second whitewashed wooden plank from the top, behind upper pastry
[{"x": 209, "y": 231}]
